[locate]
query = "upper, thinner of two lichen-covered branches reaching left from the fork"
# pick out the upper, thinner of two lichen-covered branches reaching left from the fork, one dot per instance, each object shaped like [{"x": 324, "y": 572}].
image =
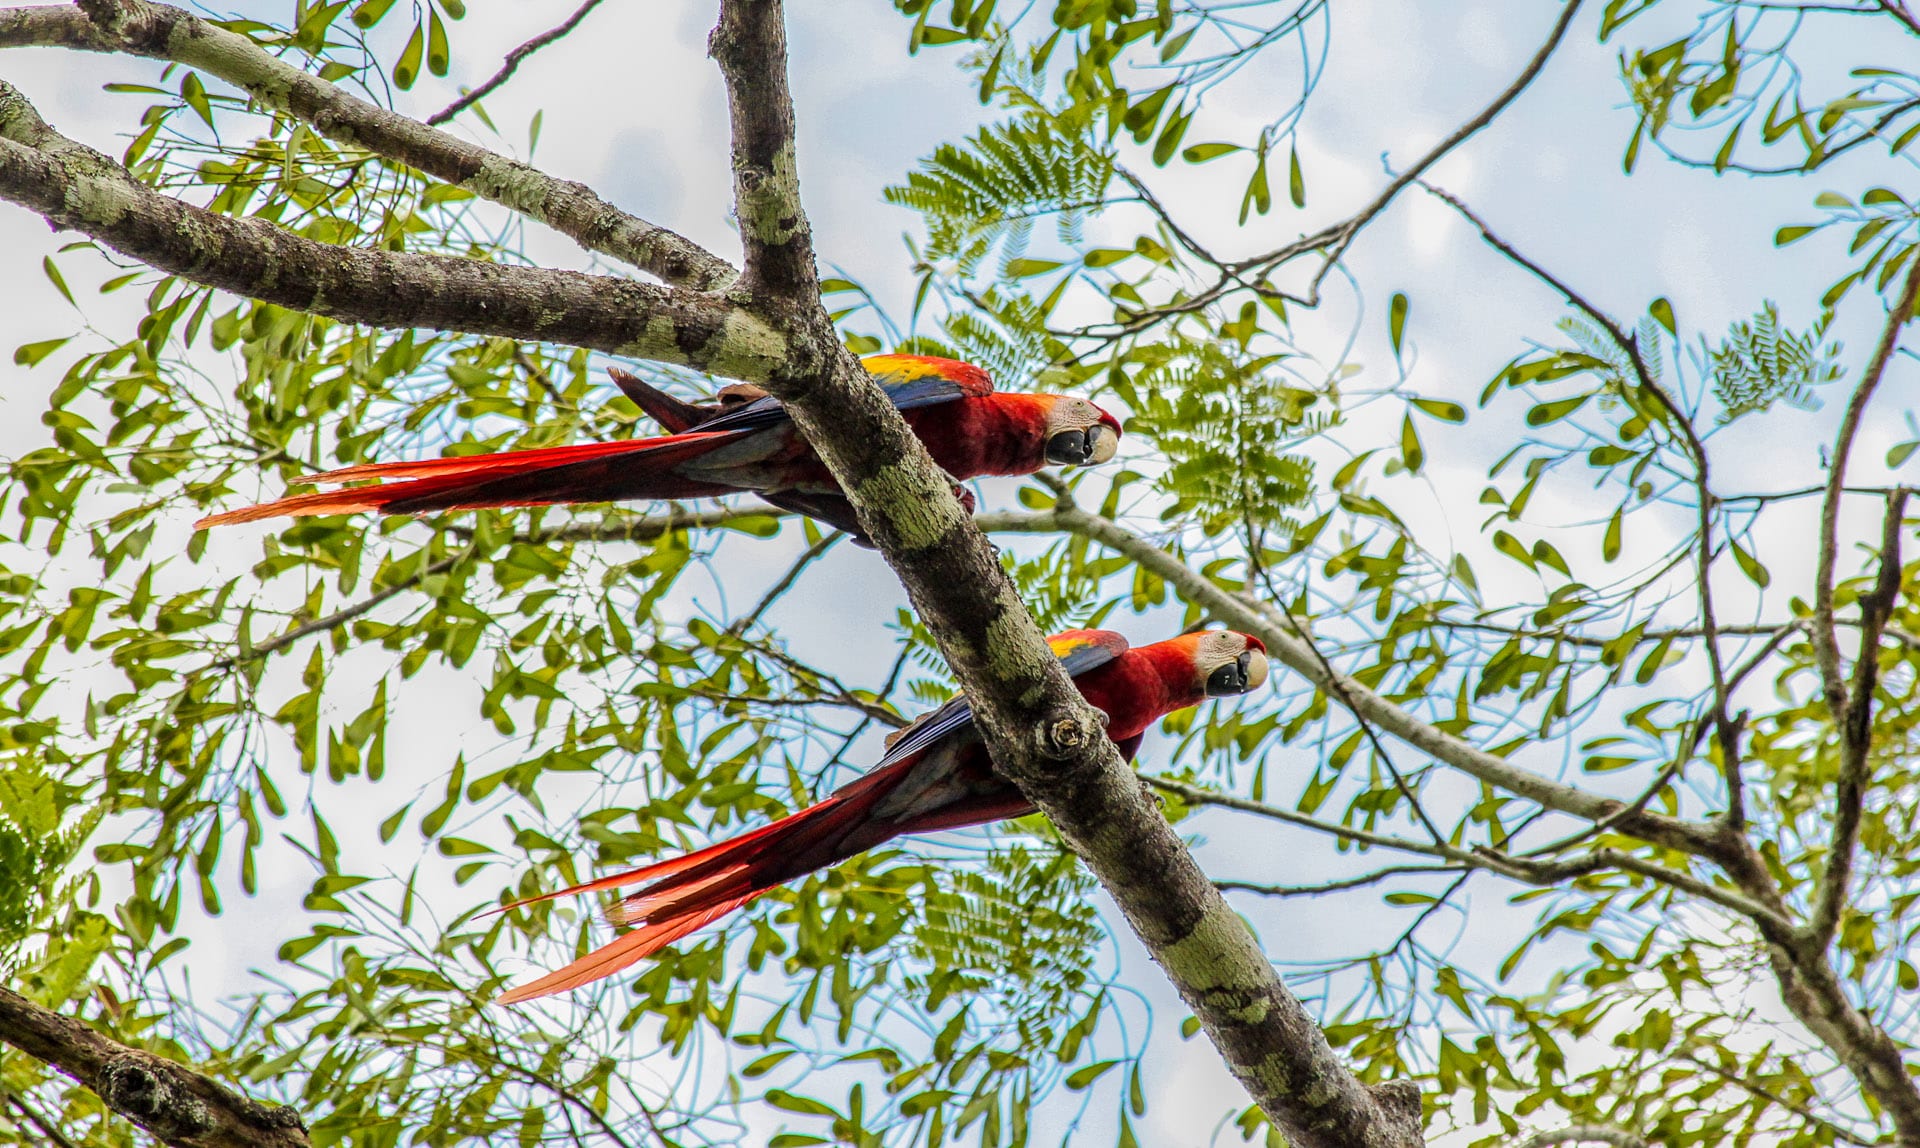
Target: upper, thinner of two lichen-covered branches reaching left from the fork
[{"x": 162, "y": 32}]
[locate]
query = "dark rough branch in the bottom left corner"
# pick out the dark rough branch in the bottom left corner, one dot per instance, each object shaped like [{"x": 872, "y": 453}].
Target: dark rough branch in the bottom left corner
[{"x": 170, "y": 1101}]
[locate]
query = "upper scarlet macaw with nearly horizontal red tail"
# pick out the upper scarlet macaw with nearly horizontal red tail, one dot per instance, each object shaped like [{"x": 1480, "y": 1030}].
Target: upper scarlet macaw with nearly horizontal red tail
[{"x": 746, "y": 442}]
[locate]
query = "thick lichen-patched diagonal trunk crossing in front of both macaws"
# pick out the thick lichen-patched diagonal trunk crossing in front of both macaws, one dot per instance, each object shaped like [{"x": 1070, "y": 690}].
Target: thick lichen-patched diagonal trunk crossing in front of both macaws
[{"x": 1038, "y": 729}]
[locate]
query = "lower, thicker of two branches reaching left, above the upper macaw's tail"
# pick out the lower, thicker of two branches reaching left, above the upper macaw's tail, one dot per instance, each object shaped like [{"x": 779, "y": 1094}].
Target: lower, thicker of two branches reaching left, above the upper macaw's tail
[{"x": 82, "y": 189}]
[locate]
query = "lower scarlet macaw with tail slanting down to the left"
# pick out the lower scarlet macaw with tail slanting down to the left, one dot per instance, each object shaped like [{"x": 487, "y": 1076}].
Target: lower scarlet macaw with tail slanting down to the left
[{"x": 936, "y": 777}]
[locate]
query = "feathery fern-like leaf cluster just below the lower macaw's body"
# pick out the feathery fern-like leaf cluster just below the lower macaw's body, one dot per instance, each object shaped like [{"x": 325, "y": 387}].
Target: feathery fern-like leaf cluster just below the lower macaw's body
[{"x": 1022, "y": 926}]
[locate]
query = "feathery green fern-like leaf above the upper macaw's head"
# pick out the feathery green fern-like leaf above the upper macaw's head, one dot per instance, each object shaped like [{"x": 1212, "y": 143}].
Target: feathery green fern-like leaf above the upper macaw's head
[{"x": 988, "y": 193}]
